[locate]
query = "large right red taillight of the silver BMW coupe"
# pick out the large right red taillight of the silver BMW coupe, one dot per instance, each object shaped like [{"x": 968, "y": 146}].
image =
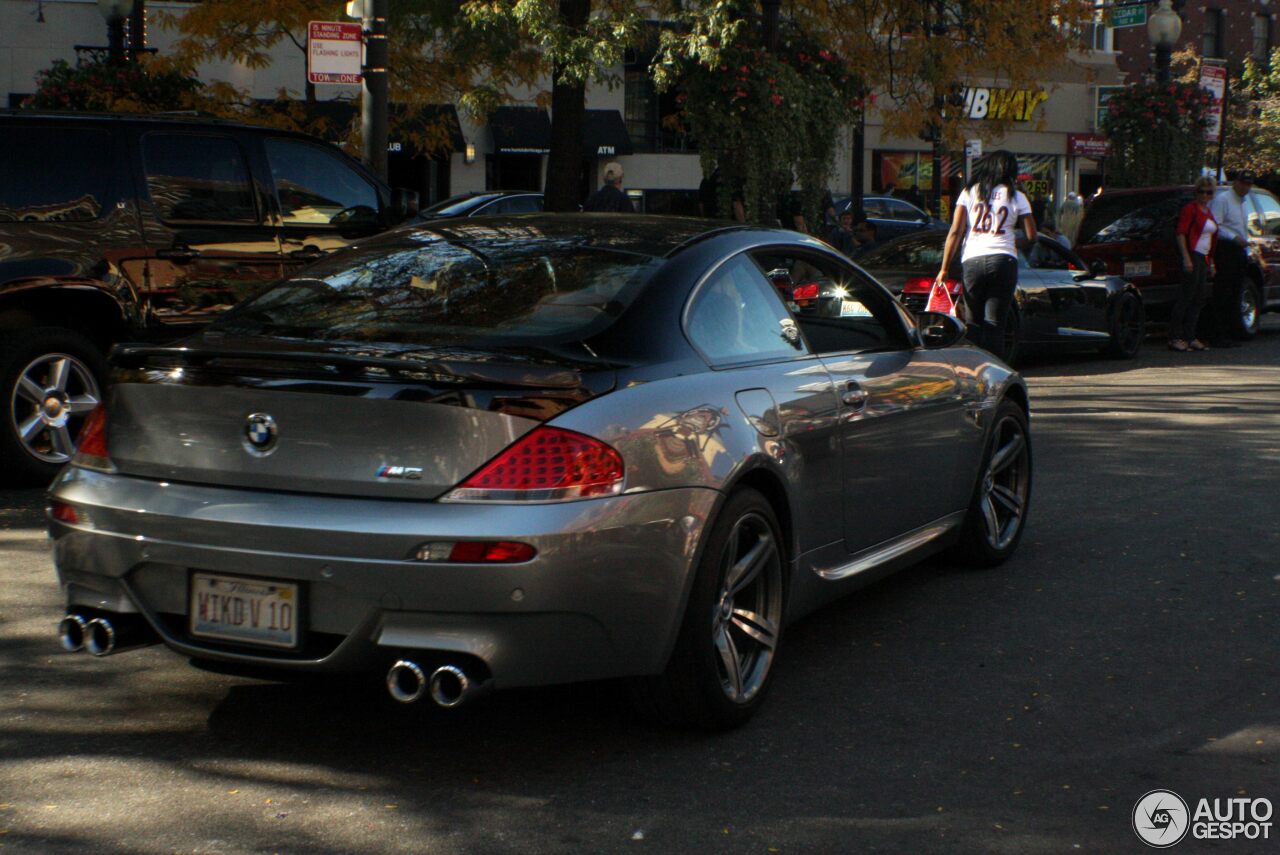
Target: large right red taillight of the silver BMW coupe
[{"x": 546, "y": 465}]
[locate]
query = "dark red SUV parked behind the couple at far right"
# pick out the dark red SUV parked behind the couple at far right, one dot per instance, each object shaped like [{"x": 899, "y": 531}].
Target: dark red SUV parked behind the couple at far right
[{"x": 1132, "y": 232}]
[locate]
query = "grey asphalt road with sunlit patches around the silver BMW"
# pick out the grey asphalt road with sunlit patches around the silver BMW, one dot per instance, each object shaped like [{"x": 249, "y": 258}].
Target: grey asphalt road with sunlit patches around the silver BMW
[{"x": 1132, "y": 644}]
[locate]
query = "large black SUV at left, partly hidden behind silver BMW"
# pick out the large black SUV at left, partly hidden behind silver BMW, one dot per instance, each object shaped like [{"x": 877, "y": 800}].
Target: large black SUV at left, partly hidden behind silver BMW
[{"x": 143, "y": 227}]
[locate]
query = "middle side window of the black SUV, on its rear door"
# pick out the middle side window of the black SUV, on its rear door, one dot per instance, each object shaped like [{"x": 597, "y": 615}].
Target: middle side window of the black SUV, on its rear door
[{"x": 198, "y": 179}]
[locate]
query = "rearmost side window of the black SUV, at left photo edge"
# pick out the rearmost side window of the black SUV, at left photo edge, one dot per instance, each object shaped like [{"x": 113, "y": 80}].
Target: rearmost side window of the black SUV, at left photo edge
[{"x": 53, "y": 175}]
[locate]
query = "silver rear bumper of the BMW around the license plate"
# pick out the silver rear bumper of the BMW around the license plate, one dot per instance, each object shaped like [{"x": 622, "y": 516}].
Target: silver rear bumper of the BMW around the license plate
[{"x": 604, "y": 597}]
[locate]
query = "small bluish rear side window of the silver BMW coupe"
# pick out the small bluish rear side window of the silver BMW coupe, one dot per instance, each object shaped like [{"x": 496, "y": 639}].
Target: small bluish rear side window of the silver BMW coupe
[{"x": 734, "y": 319}]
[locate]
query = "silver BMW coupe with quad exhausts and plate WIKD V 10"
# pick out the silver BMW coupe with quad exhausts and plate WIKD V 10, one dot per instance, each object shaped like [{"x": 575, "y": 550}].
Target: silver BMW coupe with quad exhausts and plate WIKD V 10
[{"x": 492, "y": 454}]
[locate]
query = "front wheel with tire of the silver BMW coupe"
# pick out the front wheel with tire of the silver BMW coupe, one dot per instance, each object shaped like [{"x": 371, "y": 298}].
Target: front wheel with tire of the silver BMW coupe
[{"x": 998, "y": 510}]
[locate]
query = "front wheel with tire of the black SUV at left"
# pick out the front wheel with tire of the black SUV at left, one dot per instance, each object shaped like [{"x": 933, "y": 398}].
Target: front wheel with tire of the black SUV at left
[{"x": 51, "y": 381}]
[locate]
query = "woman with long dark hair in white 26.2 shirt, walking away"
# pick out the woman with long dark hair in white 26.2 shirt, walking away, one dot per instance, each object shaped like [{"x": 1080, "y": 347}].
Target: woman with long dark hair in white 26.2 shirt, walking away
[{"x": 988, "y": 217}]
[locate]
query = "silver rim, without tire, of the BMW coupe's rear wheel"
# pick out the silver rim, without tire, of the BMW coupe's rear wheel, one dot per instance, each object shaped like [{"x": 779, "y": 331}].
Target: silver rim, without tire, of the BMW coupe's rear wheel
[{"x": 749, "y": 609}]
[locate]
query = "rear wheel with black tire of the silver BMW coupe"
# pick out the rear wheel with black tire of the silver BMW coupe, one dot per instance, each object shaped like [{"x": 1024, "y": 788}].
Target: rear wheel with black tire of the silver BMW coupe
[{"x": 723, "y": 665}]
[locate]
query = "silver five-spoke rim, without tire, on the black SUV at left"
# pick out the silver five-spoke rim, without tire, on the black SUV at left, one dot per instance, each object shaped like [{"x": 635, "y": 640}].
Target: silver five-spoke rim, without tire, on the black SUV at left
[{"x": 52, "y": 399}]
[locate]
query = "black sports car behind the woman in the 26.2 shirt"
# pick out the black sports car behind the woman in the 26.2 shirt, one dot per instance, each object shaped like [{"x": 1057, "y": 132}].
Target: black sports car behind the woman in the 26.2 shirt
[{"x": 1062, "y": 304}]
